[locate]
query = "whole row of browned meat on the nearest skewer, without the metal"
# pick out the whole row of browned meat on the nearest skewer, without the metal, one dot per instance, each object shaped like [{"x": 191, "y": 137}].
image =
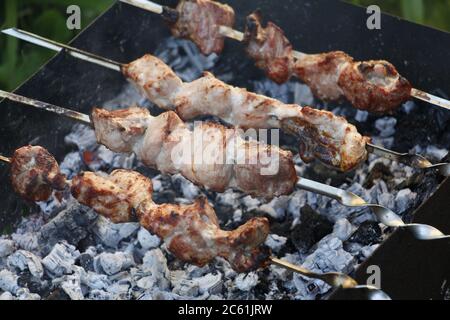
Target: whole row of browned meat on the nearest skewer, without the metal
[{"x": 191, "y": 232}]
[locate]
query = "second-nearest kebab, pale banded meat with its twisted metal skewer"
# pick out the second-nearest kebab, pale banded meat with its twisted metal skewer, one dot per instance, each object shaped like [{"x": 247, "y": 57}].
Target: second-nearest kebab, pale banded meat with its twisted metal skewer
[{"x": 154, "y": 140}]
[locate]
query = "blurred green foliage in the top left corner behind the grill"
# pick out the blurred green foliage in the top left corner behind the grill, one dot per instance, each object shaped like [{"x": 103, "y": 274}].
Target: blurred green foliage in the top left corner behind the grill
[{"x": 19, "y": 60}]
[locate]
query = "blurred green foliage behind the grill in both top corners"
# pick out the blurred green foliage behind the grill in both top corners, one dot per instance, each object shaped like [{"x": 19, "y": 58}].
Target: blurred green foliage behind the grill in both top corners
[{"x": 19, "y": 60}]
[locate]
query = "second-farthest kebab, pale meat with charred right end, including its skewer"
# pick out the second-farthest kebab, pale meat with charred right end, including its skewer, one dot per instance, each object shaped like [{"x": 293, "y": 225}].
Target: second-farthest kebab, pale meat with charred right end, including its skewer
[{"x": 323, "y": 136}]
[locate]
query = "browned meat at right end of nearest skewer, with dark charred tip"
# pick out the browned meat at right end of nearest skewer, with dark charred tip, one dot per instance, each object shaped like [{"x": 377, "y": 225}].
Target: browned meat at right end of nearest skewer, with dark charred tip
[{"x": 192, "y": 234}]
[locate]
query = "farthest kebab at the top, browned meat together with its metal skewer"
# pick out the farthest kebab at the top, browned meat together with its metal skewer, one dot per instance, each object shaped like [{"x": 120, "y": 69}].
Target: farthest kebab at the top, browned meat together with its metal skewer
[{"x": 375, "y": 86}]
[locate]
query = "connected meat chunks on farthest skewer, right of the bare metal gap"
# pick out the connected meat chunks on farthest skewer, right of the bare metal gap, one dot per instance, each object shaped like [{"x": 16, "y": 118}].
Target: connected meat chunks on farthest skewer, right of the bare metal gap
[{"x": 374, "y": 86}]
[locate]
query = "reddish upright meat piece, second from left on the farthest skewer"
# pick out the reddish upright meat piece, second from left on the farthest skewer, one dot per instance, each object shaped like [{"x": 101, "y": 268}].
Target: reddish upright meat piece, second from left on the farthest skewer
[{"x": 270, "y": 49}]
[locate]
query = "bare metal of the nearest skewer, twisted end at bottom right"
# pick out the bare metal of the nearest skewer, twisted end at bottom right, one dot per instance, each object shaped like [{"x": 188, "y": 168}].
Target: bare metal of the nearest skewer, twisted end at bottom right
[{"x": 333, "y": 279}]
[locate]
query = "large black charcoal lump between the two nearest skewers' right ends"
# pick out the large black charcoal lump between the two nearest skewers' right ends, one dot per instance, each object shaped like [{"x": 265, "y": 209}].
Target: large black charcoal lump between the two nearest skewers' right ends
[{"x": 310, "y": 230}]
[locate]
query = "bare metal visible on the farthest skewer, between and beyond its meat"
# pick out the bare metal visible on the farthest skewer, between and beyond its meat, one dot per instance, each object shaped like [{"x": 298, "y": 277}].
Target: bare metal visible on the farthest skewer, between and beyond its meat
[{"x": 239, "y": 36}]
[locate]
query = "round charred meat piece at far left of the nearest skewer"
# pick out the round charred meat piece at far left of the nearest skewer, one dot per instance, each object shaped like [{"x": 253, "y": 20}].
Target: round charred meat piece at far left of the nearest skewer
[{"x": 35, "y": 173}]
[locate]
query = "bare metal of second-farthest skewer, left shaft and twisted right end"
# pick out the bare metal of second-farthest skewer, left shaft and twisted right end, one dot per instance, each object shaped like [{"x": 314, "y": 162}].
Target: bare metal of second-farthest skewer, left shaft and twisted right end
[{"x": 415, "y": 161}]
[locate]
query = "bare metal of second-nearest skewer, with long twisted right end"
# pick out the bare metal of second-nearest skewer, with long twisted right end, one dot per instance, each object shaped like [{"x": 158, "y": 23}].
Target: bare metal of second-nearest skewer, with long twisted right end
[{"x": 346, "y": 198}]
